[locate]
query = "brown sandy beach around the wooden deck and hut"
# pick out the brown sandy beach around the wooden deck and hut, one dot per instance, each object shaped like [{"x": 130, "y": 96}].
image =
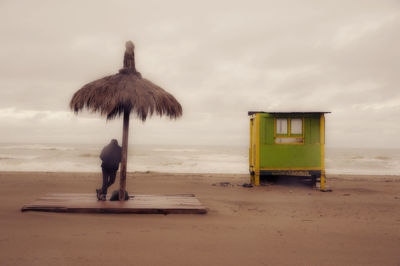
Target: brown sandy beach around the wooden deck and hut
[{"x": 286, "y": 223}]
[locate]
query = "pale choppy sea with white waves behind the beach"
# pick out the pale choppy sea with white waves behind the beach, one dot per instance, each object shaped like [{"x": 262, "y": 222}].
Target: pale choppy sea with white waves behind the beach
[{"x": 182, "y": 159}]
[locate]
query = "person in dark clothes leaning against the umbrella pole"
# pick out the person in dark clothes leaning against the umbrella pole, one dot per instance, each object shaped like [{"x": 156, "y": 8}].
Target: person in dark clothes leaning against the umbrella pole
[{"x": 111, "y": 157}]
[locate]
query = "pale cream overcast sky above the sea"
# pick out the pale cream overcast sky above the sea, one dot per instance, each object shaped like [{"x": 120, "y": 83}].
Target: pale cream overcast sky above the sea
[{"x": 220, "y": 59}]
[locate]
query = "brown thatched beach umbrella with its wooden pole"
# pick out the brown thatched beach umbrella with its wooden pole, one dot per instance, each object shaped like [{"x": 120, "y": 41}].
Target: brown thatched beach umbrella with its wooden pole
[{"x": 123, "y": 93}]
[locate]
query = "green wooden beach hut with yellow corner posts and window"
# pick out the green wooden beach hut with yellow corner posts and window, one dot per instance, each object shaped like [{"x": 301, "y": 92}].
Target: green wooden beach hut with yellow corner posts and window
[{"x": 283, "y": 143}]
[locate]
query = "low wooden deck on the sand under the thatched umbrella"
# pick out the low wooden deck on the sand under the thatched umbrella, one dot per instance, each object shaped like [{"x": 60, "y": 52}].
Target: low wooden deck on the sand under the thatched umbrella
[{"x": 145, "y": 204}]
